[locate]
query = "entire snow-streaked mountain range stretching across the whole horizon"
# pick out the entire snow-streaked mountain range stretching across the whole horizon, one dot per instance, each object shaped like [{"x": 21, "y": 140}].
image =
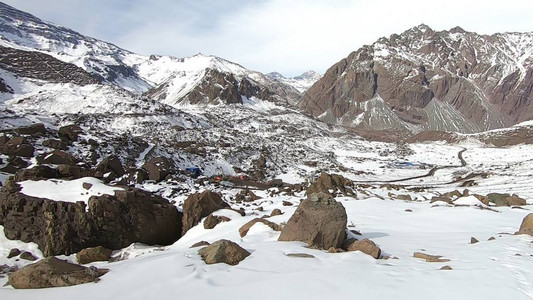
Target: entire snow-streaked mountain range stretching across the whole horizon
[{"x": 419, "y": 80}]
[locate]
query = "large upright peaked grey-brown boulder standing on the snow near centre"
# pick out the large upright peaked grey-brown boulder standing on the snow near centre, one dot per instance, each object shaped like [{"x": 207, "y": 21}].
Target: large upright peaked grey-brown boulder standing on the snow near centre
[{"x": 319, "y": 221}]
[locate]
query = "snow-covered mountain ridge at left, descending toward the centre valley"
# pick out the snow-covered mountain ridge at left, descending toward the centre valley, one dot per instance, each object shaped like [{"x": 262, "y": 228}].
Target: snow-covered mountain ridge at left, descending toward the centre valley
[{"x": 138, "y": 73}]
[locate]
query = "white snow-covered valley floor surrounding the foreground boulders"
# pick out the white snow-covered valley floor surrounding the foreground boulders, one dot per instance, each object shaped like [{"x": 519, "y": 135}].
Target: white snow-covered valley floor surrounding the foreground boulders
[{"x": 496, "y": 269}]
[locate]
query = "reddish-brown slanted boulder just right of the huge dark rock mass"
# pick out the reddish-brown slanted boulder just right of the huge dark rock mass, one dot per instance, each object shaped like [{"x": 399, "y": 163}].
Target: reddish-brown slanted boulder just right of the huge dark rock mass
[{"x": 200, "y": 205}]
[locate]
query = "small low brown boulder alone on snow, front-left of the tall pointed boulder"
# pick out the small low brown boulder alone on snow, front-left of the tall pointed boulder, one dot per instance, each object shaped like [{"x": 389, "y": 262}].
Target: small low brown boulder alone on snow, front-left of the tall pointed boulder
[{"x": 223, "y": 251}]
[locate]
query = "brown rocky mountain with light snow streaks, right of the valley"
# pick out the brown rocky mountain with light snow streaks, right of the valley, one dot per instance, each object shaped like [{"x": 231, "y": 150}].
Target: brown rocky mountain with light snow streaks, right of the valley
[{"x": 428, "y": 80}]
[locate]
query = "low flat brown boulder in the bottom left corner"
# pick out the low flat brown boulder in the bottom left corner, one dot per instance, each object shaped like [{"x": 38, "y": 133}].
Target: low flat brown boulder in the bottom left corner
[{"x": 52, "y": 272}]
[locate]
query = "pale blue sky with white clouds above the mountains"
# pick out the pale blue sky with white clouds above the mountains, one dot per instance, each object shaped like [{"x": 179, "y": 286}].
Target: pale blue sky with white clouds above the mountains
[{"x": 289, "y": 36}]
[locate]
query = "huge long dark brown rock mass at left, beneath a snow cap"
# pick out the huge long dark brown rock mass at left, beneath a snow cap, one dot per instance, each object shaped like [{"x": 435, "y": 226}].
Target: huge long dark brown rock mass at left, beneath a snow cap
[{"x": 111, "y": 221}]
